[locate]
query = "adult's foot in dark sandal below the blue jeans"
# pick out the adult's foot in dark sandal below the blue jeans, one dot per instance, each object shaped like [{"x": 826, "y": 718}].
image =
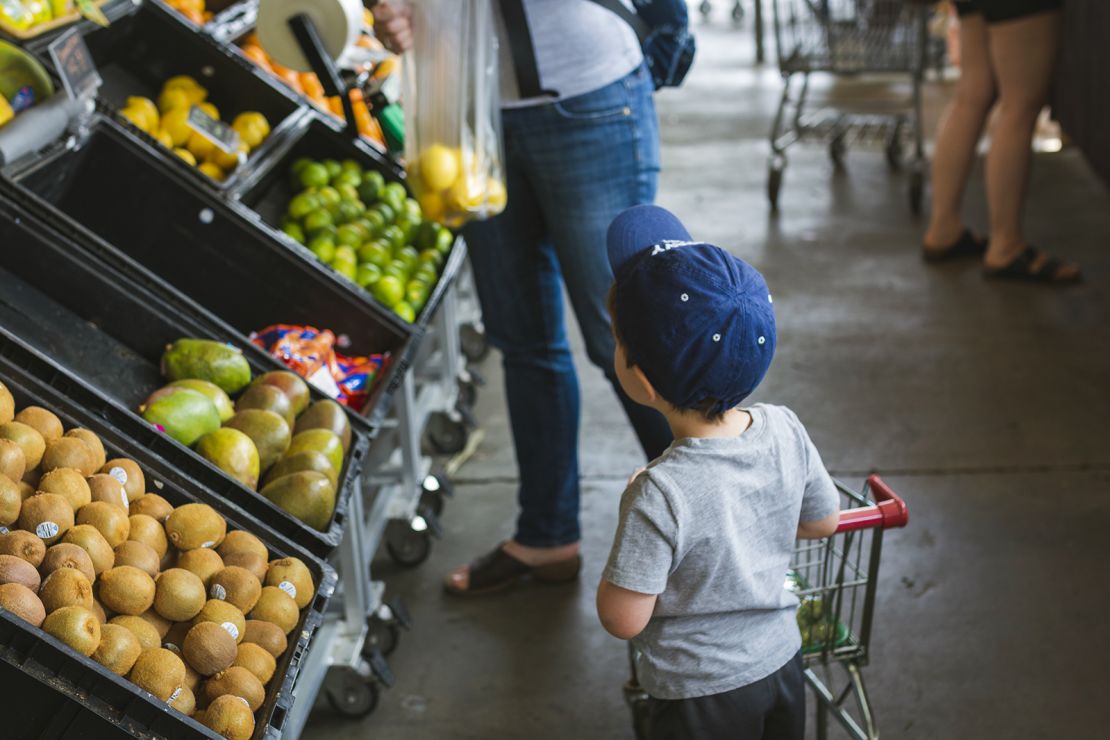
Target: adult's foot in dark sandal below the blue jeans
[{"x": 511, "y": 562}]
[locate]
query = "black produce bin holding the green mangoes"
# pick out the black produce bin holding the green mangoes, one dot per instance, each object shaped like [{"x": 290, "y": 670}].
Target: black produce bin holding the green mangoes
[{"x": 110, "y": 330}]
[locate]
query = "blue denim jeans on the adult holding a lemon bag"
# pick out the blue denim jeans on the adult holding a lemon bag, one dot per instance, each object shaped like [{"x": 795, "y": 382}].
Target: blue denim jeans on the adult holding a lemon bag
[{"x": 572, "y": 167}]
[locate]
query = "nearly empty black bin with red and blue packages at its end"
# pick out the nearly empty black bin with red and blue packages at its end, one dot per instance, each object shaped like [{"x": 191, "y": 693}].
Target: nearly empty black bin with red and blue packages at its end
[{"x": 206, "y": 248}]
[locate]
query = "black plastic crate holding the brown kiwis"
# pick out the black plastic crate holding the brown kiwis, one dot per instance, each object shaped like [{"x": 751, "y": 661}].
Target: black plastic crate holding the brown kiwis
[{"x": 56, "y": 693}]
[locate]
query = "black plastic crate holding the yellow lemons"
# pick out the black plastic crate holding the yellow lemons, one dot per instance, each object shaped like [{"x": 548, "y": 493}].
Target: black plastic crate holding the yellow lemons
[{"x": 145, "y": 48}]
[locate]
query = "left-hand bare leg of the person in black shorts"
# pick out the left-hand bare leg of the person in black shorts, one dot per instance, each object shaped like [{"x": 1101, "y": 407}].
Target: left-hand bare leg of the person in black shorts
[{"x": 960, "y": 135}]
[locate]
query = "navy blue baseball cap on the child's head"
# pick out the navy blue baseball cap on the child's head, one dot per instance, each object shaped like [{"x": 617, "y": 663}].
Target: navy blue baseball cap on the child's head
[{"x": 698, "y": 321}]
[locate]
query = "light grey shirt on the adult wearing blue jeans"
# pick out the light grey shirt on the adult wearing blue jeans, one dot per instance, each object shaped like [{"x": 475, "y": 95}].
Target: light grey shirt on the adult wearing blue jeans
[{"x": 580, "y": 47}]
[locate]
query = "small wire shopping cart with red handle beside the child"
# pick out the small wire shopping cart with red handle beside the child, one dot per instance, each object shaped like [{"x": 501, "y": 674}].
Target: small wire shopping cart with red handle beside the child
[{"x": 835, "y": 581}]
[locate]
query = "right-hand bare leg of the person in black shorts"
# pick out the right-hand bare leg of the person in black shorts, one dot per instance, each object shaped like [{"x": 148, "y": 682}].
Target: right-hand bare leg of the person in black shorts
[{"x": 1023, "y": 54}]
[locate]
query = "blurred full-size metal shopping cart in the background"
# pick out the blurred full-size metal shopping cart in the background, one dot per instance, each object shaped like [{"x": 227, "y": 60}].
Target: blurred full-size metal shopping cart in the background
[{"x": 877, "y": 39}]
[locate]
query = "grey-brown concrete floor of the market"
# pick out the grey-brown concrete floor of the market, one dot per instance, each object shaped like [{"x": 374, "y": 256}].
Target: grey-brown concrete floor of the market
[{"x": 983, "y": 404}]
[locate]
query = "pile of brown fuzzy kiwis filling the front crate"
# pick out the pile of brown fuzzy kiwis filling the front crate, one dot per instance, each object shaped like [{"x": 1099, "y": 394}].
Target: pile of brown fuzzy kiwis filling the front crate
[{"x": 166, "y": 596}]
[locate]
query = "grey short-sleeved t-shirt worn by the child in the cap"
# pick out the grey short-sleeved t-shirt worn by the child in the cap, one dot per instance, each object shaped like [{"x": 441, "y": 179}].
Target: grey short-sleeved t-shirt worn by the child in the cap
[{"x": 711, "y": 526}]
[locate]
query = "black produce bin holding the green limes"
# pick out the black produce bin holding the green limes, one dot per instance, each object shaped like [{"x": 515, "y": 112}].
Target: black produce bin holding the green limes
[{"x": 268, "y": 191}]
